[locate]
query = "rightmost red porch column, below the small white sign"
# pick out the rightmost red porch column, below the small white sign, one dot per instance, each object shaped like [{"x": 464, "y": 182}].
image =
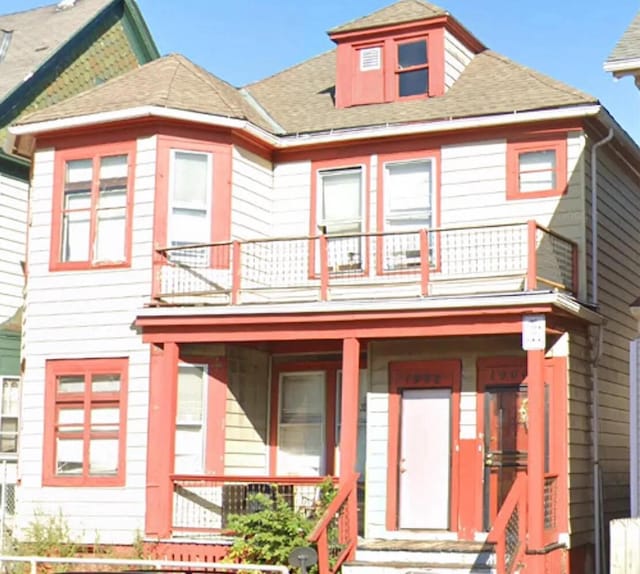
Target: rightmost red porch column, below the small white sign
[{"x": 535, "y": 464}]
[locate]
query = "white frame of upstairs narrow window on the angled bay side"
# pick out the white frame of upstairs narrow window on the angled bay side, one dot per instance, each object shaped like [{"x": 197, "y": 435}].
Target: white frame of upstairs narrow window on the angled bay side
[{"x": 192, "y": 257}]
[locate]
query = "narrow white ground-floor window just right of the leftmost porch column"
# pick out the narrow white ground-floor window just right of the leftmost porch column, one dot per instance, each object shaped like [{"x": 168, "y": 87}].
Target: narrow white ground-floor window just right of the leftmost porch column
[{"x": 190, "y": 419}]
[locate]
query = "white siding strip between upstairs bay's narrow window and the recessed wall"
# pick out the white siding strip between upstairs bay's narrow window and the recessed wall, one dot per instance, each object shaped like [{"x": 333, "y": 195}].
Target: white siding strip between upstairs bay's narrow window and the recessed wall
[{"x": 252, "y": 184}]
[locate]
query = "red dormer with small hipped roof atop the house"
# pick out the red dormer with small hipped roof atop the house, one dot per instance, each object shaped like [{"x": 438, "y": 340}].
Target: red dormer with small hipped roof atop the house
[{"x": 409, "y": 50}]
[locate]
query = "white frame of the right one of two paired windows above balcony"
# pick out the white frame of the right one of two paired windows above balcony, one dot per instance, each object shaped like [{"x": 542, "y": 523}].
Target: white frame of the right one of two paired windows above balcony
[{"x": 411, "y": 255}]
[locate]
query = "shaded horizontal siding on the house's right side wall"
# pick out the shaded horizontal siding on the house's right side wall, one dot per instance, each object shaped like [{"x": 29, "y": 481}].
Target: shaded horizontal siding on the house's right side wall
[{"x": 618, "y": 194}]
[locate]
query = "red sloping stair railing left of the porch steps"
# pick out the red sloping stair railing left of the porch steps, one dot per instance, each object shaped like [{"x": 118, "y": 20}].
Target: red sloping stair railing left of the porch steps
[{"x": 336, "y": 534}]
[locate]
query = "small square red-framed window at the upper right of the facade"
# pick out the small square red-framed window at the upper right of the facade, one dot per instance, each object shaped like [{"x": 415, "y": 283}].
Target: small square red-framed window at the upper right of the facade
[{"x": 536, "y": 168}]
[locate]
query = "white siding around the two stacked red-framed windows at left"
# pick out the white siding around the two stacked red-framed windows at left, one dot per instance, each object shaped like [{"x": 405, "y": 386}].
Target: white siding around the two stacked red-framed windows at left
[{"x": 87, "y": 314}]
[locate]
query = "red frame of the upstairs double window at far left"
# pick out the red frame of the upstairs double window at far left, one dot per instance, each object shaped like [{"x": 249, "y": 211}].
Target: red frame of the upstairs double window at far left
[{"x": 95, "y": 154}]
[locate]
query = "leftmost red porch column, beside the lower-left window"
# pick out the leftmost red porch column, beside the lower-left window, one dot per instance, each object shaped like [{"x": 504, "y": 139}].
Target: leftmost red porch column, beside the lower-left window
[{"x": 163, "y": 378}]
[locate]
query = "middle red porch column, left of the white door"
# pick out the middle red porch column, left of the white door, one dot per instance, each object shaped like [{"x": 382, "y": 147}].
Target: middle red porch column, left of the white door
[{"x": 349, "y": 410}]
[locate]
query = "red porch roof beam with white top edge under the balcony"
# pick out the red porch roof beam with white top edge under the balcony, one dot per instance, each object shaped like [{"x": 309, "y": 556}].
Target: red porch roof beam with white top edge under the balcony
[{"x": 429, "y": 317}]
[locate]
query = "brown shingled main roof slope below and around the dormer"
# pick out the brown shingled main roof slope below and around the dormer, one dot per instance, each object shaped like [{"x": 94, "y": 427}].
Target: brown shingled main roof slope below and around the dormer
[{"x": 301, "y": 99}]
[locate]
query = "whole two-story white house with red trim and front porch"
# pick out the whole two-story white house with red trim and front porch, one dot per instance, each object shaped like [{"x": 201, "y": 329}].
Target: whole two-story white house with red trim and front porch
[{"x": 404, "y": 263}]
